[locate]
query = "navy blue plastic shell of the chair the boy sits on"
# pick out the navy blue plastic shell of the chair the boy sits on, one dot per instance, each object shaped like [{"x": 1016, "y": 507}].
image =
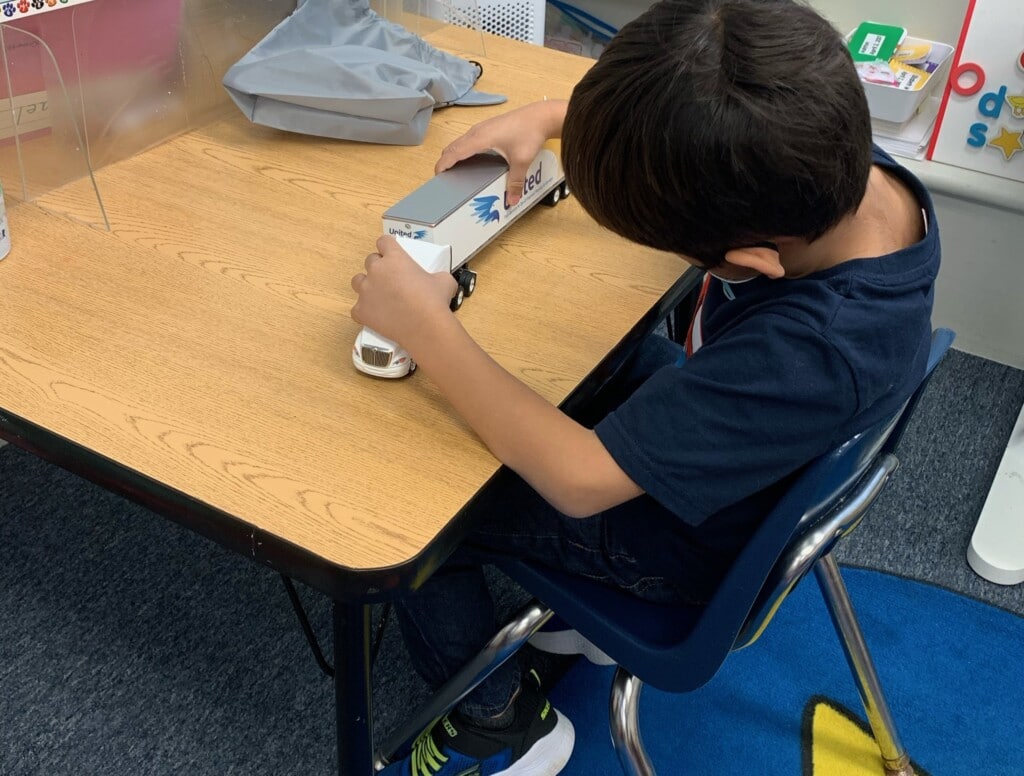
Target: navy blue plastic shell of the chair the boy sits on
[{"x": 680, "y": 649}]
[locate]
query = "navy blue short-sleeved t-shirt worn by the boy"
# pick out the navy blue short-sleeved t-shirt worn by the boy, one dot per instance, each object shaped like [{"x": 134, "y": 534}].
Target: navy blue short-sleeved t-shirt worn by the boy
[{"x": 788, "y": 369}]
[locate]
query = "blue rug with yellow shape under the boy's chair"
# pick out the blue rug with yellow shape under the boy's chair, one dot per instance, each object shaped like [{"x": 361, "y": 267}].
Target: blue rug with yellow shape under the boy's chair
[{"x": 951, "y": 668}]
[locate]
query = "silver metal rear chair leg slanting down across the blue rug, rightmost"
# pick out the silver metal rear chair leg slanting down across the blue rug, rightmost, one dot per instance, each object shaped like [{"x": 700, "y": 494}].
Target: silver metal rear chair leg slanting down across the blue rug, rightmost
[{"x": 894, "y": 757}]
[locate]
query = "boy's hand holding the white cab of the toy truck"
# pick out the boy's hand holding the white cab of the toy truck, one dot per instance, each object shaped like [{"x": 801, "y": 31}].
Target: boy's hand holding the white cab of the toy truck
[{"x": 397, "y": 297}]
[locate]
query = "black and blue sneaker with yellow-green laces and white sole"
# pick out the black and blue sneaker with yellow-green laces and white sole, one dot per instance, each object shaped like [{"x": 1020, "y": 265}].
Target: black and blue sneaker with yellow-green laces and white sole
[{"x": 538, "y": 744}]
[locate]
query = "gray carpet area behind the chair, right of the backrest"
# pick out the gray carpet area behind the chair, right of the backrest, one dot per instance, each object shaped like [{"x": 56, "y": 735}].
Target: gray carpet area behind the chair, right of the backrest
[{"x": 922, "y": 525}]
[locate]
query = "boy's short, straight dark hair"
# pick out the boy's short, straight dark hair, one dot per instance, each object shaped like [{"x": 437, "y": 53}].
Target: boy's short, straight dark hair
[{"x": 708, "y": 125}]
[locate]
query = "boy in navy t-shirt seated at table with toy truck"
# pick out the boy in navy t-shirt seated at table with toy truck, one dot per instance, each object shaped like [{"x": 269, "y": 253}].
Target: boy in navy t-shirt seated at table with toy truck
[{"x": 735, "y": 134}]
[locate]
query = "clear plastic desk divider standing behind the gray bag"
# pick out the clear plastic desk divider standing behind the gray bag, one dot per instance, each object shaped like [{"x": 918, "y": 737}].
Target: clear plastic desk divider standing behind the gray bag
[{"x": 91, "y": 83}]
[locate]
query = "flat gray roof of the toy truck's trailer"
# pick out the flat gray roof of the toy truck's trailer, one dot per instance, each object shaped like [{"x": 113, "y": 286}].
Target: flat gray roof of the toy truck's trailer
[{"x": 447, "y": 192}]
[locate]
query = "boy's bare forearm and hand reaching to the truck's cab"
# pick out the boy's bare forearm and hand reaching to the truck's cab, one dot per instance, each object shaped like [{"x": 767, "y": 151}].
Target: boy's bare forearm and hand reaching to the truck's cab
[{"x": 565, "y": 462}]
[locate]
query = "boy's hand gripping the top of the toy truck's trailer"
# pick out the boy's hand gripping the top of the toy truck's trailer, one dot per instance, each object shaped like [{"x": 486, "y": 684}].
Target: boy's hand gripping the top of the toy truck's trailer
[{"x": 519, "y": 136}]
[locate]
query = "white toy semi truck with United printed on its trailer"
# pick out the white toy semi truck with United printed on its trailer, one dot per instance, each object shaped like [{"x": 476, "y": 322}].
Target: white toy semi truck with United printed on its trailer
[{"x": 447, "y": 222}]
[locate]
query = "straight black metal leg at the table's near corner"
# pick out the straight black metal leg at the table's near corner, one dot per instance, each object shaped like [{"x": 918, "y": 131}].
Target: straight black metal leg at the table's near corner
[{"x": 353, "y": 689}]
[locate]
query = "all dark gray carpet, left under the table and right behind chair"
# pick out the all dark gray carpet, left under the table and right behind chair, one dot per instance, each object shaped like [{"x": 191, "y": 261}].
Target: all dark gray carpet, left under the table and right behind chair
[{"x": 131, "y": 646}]
